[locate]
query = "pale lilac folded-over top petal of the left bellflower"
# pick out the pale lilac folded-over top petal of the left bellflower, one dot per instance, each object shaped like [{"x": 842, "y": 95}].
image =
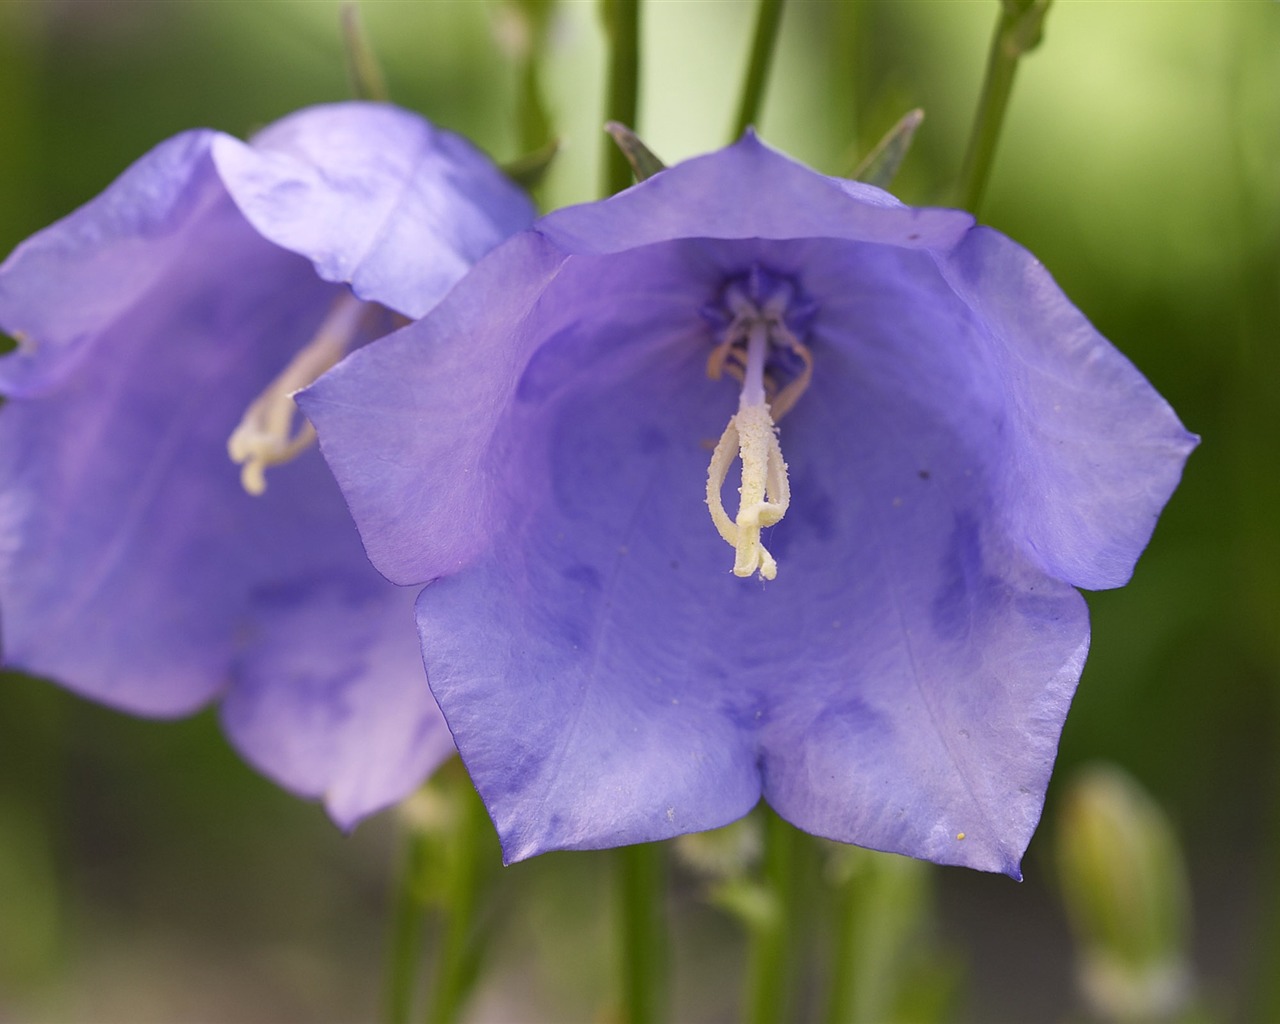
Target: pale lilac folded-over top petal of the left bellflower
[{"x": 376, "y": 198}]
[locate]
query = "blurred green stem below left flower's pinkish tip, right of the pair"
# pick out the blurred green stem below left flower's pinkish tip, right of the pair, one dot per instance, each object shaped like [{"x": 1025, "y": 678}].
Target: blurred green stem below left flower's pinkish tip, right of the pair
[{"x": 459, "y": 950}]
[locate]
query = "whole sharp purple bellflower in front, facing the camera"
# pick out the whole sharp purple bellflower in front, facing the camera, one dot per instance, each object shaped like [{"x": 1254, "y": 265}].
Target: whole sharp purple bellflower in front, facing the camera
[{"x": 883, "y": 638}]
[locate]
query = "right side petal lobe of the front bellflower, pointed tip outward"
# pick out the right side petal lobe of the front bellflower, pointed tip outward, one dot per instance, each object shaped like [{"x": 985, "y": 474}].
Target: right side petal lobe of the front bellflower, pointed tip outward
[{"x": 1095, "y": 451}]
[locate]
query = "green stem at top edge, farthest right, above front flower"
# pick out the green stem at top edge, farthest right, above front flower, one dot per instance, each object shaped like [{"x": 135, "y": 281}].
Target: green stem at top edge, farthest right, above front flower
[{"x": 1017, "y": 33}]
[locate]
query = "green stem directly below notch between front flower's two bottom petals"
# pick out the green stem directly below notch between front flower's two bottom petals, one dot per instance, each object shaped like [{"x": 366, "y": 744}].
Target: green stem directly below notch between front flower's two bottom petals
[{"x": 769, "y": 962}]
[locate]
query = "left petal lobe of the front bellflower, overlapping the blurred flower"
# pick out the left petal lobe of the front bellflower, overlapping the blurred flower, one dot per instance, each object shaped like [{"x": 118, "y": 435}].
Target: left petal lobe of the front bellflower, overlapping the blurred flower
[{"x": 441, "y": 376}]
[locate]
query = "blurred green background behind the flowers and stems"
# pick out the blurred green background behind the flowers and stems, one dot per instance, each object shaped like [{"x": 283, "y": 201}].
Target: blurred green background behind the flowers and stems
[{"x": 148, "y": 875}]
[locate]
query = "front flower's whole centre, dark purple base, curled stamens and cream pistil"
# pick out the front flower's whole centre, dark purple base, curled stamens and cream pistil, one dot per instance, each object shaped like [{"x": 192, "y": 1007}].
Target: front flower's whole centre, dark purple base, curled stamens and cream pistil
[{"x": 758, "y": 346}]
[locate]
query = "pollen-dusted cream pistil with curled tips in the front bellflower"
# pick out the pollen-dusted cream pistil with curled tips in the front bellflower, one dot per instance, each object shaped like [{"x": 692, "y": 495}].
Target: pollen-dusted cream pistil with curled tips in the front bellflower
[{"x": 765, "y": 495}]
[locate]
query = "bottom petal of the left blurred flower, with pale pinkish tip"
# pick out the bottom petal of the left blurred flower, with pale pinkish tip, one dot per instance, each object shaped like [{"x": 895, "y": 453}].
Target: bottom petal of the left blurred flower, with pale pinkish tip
[{"x": 328, "y": 696}]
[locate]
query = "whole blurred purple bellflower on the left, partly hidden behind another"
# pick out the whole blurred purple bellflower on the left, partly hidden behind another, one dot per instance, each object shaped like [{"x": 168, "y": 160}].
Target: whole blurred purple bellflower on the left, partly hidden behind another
[{"x": 161, "y": 331}]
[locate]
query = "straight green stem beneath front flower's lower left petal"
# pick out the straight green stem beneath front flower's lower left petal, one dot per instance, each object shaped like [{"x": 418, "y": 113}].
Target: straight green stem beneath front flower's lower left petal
[{"x": 642, "y": 883}]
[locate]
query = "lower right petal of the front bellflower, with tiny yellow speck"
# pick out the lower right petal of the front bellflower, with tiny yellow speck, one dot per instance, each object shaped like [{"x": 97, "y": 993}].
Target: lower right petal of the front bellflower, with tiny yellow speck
[{"x": 943, "y": 664}]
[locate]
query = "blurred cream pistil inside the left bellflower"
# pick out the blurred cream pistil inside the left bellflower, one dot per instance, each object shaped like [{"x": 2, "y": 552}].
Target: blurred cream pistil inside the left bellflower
[{"x": 267, "y": 436}]
